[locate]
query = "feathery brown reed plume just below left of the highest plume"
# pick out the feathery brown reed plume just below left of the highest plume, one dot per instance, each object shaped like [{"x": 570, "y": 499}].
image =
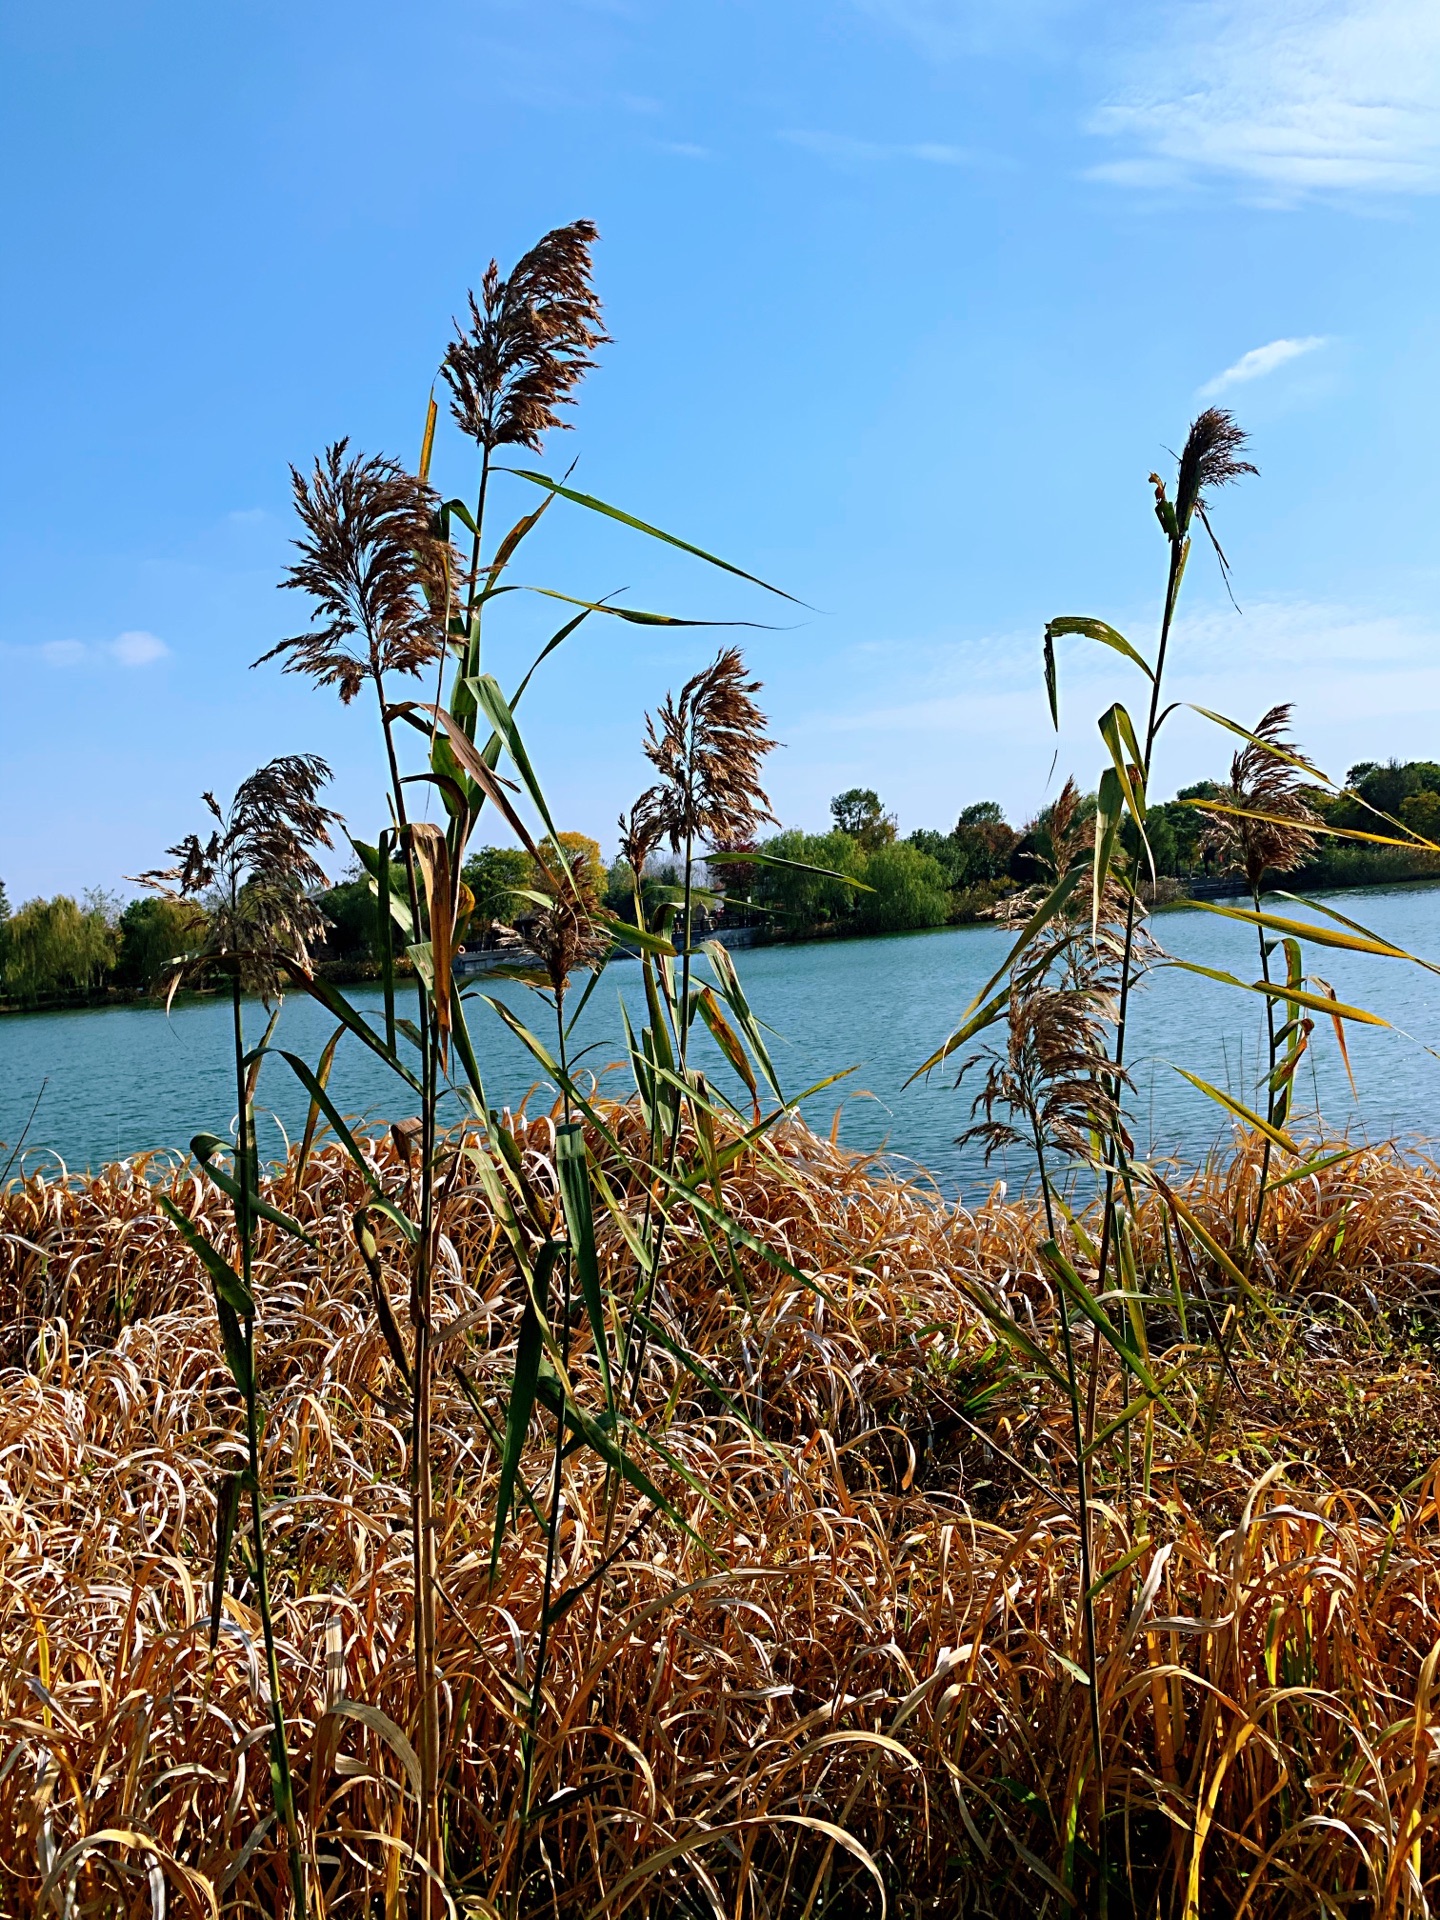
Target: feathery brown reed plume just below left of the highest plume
[{"x": 375, "y": 569}]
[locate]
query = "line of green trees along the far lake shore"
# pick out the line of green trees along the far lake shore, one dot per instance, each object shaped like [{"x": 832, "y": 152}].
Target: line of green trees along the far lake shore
[{"x": 68, "y": 951}]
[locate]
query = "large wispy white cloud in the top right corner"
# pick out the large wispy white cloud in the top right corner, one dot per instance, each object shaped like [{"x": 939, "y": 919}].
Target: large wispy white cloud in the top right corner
[{"x": 1287, "y": 97}]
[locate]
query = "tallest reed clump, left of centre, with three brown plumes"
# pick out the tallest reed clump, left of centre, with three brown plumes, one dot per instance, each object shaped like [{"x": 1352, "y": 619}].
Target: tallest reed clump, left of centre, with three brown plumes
[{"x": 393, "y": 598}]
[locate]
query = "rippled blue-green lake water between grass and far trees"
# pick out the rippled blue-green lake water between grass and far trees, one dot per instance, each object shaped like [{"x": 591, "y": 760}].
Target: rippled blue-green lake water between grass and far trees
[{"x": 114, "y": 1082}]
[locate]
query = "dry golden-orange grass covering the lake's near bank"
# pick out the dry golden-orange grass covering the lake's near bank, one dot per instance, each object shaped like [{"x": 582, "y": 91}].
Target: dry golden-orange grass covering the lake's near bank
[{"x": 869, "y": 1671}]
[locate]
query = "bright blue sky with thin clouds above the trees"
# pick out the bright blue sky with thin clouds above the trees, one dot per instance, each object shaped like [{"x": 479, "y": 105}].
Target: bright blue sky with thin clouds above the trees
[{"x": 907, "y": 300}]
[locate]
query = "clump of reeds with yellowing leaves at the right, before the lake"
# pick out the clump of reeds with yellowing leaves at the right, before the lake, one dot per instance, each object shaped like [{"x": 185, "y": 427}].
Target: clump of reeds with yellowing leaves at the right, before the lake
[{"x": 1260, "y": 825}]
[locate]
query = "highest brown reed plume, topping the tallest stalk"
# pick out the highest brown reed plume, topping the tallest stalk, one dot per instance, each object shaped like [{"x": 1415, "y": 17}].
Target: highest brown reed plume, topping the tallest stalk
[{"x": 529, "y": 343}]
